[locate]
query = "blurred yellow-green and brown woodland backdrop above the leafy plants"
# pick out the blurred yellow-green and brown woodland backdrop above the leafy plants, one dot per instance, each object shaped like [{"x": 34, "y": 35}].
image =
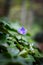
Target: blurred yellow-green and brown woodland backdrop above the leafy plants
[{"x": 28, "y": 12}]
